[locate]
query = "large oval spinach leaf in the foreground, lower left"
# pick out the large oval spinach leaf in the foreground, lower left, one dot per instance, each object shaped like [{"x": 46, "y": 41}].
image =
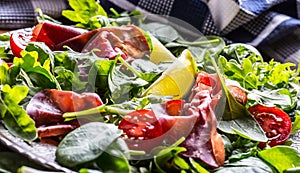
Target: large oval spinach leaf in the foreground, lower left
[{"x": 86, "y": 143}]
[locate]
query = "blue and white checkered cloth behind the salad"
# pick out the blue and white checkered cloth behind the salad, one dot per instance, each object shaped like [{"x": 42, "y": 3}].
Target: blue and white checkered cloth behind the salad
[{"x": 270, "y": 25}]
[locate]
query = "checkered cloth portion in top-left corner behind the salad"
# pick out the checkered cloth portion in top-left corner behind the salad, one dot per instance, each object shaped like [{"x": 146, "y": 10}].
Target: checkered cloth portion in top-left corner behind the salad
[{"x": 16, "y": 14}]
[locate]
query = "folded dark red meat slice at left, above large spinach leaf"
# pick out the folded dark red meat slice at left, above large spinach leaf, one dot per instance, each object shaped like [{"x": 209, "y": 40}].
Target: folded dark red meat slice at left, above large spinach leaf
[{"x": 47, "y": 107}]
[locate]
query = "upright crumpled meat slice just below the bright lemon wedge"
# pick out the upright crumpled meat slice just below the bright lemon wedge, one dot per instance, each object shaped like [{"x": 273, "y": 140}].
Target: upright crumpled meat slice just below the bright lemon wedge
[{"x": 204, "y": 142}]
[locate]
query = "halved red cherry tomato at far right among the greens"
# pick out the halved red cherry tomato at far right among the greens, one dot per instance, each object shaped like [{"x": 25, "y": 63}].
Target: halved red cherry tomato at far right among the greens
[{"x": 275, "y": 122}]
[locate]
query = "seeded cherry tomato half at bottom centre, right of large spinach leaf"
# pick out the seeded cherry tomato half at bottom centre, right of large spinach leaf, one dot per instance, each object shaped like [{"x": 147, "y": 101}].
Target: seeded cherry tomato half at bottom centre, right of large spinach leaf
[{"x": 141, "y": 125}]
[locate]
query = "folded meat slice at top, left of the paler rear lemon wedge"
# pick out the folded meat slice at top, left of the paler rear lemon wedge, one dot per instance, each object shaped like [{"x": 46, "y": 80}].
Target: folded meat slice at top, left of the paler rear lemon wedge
[{"x": 128, "y": 41}]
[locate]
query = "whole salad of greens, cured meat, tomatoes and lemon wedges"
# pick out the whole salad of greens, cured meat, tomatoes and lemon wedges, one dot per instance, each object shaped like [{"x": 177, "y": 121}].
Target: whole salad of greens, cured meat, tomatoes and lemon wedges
[{"x": 122, "y": 93}]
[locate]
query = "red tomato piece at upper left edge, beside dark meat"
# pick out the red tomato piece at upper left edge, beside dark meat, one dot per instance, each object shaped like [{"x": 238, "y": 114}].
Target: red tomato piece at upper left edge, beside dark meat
[{"x": 18, "y": 41}]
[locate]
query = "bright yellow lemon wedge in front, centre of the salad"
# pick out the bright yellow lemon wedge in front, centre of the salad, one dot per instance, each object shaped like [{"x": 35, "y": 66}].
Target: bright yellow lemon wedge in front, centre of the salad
[{"x": 177, "y": 80}]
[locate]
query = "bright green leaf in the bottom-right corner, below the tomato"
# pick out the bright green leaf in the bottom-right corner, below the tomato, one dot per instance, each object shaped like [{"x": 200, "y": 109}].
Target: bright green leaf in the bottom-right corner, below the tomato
[{"x": 281, "y": 157}]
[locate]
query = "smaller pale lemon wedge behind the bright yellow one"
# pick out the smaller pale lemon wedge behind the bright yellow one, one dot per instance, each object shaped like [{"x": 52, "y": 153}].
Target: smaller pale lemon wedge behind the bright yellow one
[{"x": 160, "y": 53}]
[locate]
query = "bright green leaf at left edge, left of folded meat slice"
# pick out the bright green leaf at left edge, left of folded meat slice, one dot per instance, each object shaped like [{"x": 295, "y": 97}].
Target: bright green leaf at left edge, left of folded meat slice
[{"x": 14, "y": 116}]
